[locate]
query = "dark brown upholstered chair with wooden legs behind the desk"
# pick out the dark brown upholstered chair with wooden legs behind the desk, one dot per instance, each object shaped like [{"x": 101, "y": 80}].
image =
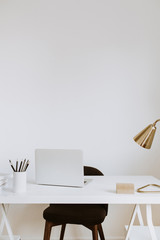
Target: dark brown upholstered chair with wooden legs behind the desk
[{"x": 88, "y": 215}]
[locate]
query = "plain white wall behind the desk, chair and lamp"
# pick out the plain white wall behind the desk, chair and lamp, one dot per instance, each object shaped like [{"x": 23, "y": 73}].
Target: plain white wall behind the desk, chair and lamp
[{"x": 79, "y": 74}]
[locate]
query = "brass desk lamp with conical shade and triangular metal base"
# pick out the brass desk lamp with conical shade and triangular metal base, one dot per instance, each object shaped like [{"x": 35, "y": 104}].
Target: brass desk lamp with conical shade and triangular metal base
[{"x": 145, "y": 139}]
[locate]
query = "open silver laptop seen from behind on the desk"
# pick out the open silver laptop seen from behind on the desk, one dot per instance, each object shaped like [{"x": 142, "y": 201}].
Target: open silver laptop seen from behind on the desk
[{"x": 59, "y": 167}]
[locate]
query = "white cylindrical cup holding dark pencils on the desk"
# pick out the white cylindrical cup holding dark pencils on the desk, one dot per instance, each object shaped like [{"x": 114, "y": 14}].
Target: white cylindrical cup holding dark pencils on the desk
[{"x": 19, "y": 182}]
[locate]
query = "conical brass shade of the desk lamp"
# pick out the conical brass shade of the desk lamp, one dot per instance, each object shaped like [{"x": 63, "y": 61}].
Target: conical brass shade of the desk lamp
[{"x": 145, "y": 137}]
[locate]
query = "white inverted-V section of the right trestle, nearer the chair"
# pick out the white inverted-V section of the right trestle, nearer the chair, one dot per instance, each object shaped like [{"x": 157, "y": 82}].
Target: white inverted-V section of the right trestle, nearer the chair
[{"x": 137, "y": 211}]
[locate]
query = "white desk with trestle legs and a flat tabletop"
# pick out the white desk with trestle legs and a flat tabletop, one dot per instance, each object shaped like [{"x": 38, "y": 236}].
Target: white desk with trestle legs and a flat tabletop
[{"x": 99, "y": 190}]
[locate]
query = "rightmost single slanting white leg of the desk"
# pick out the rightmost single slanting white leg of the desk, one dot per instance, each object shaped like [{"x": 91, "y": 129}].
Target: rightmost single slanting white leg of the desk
[{"x": 149, "y": 222}]
